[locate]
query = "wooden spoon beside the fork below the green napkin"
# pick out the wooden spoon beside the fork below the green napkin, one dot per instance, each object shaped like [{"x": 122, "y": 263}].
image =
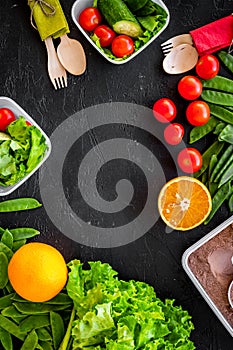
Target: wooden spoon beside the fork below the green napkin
[{"x": 71, "y": 55}]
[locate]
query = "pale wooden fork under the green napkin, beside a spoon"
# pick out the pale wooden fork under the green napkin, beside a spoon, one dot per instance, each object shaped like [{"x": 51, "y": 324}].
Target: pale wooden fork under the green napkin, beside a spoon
[{"x": 57, "y": 72}]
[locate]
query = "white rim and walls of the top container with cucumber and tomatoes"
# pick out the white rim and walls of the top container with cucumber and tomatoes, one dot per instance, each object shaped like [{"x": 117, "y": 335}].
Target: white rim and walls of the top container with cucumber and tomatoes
[{"x": 80, "y": 5}]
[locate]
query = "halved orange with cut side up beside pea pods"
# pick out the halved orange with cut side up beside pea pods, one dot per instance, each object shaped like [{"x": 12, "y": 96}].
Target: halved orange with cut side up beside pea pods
[{"x": 184, "y": 203}]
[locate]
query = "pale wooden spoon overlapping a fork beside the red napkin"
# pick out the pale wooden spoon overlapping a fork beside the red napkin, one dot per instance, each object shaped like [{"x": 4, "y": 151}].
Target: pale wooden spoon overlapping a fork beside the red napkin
[{"x": 182, "y": 58}]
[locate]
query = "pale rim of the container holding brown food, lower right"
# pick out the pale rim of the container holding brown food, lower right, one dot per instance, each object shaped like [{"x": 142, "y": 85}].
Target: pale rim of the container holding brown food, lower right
[{"x": 185, "y": 262}]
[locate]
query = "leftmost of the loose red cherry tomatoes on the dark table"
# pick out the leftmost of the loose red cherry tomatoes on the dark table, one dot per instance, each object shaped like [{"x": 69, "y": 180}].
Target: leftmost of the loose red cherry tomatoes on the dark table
[{"x": 164, "y": 110}]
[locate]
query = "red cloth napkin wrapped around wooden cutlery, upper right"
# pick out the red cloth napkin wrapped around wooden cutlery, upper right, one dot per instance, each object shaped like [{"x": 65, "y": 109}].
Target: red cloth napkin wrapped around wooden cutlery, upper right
[{"x": 213, "y": 36}]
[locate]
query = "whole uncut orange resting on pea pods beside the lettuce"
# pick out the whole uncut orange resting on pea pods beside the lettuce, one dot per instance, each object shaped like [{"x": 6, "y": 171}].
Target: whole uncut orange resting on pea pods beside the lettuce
[{"x": 37, "y": 272}]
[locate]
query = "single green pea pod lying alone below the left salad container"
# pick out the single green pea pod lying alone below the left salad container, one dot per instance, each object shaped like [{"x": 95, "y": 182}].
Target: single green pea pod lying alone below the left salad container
[{"x": 18, "y": 204}]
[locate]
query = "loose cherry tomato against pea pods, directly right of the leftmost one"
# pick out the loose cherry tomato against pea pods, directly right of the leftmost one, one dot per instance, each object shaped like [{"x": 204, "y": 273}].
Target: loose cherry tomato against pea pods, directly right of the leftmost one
[{"x": 198, "y": 113}]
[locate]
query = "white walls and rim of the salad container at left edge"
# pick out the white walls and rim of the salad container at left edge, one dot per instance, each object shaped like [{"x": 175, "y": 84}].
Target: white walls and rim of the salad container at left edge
[{"x": 6, "y": 102}]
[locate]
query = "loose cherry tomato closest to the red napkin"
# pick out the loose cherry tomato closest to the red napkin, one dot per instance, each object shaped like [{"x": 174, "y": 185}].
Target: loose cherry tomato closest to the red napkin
[{"x": 207, "y": 67}]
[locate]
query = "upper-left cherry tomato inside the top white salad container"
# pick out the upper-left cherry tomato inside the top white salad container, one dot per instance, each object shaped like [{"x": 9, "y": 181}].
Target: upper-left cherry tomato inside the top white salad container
[{"x": 90, "y": 18}]
